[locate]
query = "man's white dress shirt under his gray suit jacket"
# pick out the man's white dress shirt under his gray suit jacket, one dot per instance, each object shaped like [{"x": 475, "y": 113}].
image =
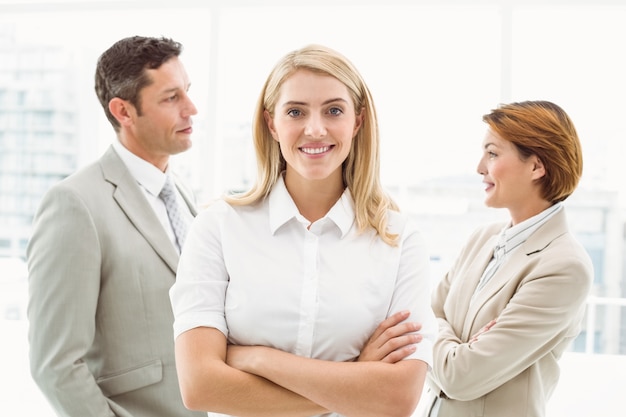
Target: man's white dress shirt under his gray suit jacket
[{"x": 151, "y": 180}]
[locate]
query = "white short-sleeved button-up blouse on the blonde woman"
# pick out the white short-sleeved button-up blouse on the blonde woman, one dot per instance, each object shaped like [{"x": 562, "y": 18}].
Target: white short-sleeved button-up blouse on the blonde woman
[{"x": 257, "y": 274}]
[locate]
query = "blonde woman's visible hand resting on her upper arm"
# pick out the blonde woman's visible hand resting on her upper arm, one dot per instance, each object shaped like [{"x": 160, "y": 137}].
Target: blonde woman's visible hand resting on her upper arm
[{"x": 393, "y": 340}]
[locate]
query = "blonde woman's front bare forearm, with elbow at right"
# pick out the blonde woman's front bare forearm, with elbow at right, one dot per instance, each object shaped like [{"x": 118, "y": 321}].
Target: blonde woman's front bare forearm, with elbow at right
[{"x": 372, "y": 388}]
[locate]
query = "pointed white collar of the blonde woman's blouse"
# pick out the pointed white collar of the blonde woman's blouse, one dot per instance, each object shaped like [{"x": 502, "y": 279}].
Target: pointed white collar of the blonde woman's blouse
[{"x": 282, "y": 209}]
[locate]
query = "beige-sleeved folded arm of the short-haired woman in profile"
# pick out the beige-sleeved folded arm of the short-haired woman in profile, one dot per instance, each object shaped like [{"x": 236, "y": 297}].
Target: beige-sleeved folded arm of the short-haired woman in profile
[{"x": 532, "y": 324}]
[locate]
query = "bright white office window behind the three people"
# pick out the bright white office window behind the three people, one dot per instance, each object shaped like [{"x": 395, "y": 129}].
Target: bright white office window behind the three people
[{"x": 434, "y": 68}]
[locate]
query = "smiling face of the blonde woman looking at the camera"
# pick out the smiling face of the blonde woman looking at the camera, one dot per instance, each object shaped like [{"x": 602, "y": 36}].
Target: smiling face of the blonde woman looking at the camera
[{"x": 314, "y": 122}]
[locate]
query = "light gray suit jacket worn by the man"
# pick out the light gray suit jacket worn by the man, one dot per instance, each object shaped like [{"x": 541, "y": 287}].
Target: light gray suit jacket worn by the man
[{"x": 100, "y": 268}]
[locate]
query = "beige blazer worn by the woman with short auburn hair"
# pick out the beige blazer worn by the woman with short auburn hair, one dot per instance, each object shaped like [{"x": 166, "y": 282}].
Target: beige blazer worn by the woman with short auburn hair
[{"x": 538, "y": 297}]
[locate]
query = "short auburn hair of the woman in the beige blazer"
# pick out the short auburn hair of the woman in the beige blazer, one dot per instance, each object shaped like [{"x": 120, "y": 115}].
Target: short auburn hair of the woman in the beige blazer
[{"x": 544, "y": 129}]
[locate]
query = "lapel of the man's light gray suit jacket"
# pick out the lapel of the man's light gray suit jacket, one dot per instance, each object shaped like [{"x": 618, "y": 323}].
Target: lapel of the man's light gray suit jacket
[{"x": 131, "y": 200}]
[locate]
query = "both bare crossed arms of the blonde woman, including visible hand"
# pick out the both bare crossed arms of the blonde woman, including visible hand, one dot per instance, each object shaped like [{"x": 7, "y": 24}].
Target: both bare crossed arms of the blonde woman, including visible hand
[{"x": 255, "y": 380}]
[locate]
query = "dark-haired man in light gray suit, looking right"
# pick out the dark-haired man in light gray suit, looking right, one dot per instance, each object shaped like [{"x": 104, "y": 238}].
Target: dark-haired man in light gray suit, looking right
[{"x": 103, "y": 253}]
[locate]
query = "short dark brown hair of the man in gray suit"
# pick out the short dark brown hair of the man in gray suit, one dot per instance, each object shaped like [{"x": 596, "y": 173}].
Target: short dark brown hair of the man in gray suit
[{"x": 120, "y": 71}]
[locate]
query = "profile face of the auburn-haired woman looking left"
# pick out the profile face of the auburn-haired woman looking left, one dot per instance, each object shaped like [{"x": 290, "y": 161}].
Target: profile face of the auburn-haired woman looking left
[{"x": 510, "y": 181}]
